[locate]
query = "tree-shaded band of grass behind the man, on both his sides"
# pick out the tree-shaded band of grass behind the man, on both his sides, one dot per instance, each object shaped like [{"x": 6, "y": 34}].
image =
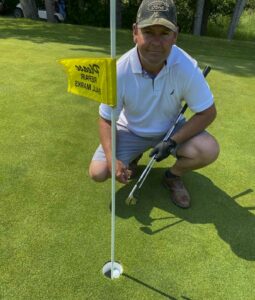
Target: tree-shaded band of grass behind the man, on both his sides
[{"x": 235, "y": 57}]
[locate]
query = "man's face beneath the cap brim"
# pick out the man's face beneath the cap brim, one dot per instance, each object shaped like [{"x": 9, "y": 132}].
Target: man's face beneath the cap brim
[{"x": 154, "y": 45}]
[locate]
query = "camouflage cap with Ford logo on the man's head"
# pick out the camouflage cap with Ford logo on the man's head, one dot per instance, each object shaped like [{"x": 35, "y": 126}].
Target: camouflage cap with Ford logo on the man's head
[{"x": 157, "y": 12}]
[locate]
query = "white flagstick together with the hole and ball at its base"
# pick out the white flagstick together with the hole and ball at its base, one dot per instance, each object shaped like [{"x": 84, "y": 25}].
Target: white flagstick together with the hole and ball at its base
[{"x": 114, "y": 268}]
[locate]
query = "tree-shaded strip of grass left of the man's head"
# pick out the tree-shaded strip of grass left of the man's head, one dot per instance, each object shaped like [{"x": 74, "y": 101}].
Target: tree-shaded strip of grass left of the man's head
[{"x": 92, "y": 39}]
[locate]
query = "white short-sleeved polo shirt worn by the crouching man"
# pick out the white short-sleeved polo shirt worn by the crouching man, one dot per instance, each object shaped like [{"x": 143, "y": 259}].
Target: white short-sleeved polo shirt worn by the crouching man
[{"x": 148, "y": 107}]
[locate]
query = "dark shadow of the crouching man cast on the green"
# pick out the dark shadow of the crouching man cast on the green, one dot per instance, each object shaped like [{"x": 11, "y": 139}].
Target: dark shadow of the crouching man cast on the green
[{"x": 235, "y": 224}]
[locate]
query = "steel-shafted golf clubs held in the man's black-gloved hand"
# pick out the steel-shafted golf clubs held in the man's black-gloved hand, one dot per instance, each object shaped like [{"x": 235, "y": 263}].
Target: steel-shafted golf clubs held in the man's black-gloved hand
[{"x": 131, "y": 200}]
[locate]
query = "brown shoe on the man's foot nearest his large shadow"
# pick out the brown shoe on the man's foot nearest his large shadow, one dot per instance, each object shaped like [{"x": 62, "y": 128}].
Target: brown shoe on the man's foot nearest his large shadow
[{"x": 179, "y": 194}]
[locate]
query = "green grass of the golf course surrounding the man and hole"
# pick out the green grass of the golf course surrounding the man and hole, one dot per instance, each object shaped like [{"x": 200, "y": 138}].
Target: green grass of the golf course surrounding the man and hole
[{"x": 55, "y": 222}]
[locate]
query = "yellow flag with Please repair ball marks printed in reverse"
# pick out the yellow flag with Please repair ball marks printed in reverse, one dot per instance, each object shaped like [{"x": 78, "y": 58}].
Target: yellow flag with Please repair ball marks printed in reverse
[{"x": 93, "y": 78}]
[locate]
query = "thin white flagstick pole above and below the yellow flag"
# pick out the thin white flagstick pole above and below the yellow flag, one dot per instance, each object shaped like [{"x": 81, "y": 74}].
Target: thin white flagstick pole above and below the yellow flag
[{"x": 113, "y": 55}]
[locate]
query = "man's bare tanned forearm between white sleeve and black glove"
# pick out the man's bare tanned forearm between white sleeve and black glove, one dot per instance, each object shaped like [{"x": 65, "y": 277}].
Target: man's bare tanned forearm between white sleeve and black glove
[{"x": 195, "y": 124}]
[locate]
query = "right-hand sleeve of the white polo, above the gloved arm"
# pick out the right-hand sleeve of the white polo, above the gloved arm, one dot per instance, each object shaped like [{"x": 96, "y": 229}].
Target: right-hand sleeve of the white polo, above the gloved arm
[{"x": 197, "y": 92}]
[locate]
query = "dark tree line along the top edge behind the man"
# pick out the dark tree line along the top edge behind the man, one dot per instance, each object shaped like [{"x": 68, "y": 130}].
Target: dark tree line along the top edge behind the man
[{"x": 193, "y": 15}]
